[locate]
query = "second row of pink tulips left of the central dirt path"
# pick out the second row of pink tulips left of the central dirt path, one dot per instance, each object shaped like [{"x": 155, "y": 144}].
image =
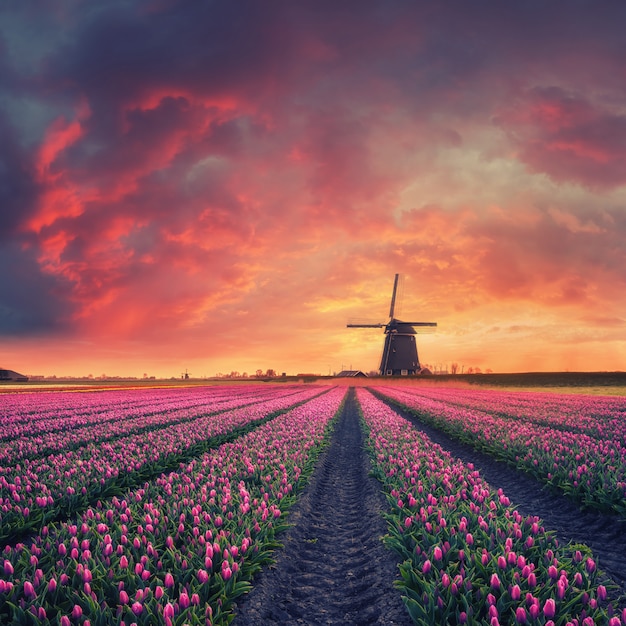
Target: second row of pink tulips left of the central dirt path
[{"x": 41, "y": 489}]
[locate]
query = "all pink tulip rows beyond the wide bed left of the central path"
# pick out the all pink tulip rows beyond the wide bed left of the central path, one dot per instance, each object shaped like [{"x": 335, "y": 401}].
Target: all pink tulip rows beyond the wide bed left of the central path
[{"x": 45, "y": 475}]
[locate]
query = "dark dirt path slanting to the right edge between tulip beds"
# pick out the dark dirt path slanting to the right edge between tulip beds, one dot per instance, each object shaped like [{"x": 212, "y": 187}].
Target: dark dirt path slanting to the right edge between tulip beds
[{"x": 605, "y": 534}]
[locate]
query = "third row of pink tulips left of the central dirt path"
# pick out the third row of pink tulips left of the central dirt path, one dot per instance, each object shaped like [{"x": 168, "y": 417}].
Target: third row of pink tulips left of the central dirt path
[{"x": 114, "y": 424}]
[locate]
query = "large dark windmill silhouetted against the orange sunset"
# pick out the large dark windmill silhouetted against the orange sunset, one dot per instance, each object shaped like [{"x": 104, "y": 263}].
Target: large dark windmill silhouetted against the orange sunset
[{"x": 400, "y": 350}]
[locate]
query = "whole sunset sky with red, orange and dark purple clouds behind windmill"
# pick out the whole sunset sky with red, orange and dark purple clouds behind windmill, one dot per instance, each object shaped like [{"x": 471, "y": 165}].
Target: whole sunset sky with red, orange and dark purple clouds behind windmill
[{"x": 216, "y": 186}]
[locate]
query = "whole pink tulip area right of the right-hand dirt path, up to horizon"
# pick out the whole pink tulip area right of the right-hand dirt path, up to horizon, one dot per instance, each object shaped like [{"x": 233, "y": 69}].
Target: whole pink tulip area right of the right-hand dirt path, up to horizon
[{"x": 574, "y": 443}]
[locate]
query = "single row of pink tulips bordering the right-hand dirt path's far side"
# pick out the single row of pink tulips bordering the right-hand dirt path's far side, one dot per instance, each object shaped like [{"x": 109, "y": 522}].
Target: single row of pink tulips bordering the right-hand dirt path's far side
[{"x": 589, "y": 469}]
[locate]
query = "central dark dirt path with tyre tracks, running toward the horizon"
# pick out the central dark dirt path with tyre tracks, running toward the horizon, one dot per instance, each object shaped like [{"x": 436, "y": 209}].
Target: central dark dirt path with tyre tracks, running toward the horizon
[{"x": 334, "y": 568}]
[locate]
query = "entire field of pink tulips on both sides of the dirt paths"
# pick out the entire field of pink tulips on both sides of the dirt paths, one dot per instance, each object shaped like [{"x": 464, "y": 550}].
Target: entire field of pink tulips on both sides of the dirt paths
[{"x": 160, "y": 506}]
